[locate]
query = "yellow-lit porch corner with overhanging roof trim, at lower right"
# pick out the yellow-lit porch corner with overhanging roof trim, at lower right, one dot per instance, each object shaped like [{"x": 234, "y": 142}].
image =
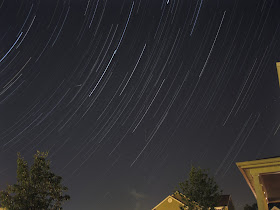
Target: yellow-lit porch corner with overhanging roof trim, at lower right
[{"x": 263, "y": 178}]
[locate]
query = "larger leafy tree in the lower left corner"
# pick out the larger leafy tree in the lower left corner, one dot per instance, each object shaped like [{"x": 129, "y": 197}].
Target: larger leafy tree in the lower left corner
[{"x": 36, "y": 188}]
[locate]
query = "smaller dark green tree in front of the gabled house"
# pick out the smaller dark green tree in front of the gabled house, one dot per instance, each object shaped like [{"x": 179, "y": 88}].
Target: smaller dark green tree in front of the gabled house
[{"x": 200, "y": 189}]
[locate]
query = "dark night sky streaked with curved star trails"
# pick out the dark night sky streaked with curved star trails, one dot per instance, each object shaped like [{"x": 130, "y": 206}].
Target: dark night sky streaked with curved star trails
[{"x": 127, "y": 95}]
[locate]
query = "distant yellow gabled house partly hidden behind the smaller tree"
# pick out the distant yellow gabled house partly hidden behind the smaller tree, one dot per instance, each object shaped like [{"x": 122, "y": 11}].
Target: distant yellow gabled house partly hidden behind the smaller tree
[{"x": 177, "y": 200}]
